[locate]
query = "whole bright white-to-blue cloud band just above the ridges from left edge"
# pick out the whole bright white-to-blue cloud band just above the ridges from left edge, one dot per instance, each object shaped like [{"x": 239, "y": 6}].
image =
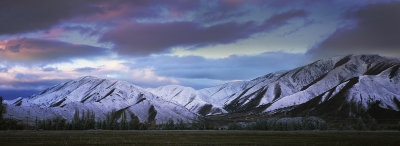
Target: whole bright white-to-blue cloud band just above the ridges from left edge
[{"x": 154, "y": 71}]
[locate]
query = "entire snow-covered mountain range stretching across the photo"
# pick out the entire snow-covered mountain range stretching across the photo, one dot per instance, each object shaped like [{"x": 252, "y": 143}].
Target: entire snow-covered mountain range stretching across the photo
[{"x": 340, "y": 87}]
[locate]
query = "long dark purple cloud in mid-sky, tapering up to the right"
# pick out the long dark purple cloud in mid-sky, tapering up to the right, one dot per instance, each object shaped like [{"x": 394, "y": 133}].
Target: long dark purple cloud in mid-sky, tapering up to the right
[{"x": 147, "y": 38}]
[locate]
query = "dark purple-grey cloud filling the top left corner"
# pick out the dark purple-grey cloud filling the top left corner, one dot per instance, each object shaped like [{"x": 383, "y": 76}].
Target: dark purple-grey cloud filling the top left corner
[{"x": 27, "y": 15}]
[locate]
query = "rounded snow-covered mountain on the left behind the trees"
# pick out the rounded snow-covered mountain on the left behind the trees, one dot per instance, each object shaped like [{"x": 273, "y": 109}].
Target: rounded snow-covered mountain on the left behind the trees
[{"x": 98, "y": 95}]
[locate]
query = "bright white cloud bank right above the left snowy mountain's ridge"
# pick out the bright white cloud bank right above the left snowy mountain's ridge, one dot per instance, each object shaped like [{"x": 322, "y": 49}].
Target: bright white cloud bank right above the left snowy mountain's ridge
[{"x": 40, "y": 78}]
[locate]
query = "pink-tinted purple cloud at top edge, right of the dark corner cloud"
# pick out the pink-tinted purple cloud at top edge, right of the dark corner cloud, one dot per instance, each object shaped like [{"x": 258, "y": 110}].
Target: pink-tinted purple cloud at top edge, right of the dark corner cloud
[{"x": 119, "y": 11}]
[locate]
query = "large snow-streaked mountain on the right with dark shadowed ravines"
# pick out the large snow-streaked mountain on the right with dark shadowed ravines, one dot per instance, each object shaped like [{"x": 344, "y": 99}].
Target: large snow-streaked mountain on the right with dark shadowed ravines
[{"x": 347, "y": 86}]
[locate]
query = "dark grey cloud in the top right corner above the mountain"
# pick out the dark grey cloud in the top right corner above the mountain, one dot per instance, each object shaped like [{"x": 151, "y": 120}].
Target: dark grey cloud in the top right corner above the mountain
[{"x": 377, "y": 31}]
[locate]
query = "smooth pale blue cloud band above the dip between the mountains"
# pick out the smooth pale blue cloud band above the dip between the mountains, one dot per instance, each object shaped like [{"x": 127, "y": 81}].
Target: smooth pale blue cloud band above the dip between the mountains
[{"x": 230, "y": 68}]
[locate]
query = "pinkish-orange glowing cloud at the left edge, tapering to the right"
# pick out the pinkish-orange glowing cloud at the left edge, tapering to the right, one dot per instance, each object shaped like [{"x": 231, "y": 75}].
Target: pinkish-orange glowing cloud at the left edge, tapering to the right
[{"x": 39, "y": 50}]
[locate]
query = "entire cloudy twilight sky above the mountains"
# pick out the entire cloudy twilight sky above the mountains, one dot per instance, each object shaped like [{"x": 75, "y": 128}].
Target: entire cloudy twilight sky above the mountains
[{"x": 195, "y": 43}]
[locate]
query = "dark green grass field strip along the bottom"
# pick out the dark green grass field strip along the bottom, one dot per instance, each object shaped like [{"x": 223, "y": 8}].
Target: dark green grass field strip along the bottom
[{"x": 198, "y": 138}]
